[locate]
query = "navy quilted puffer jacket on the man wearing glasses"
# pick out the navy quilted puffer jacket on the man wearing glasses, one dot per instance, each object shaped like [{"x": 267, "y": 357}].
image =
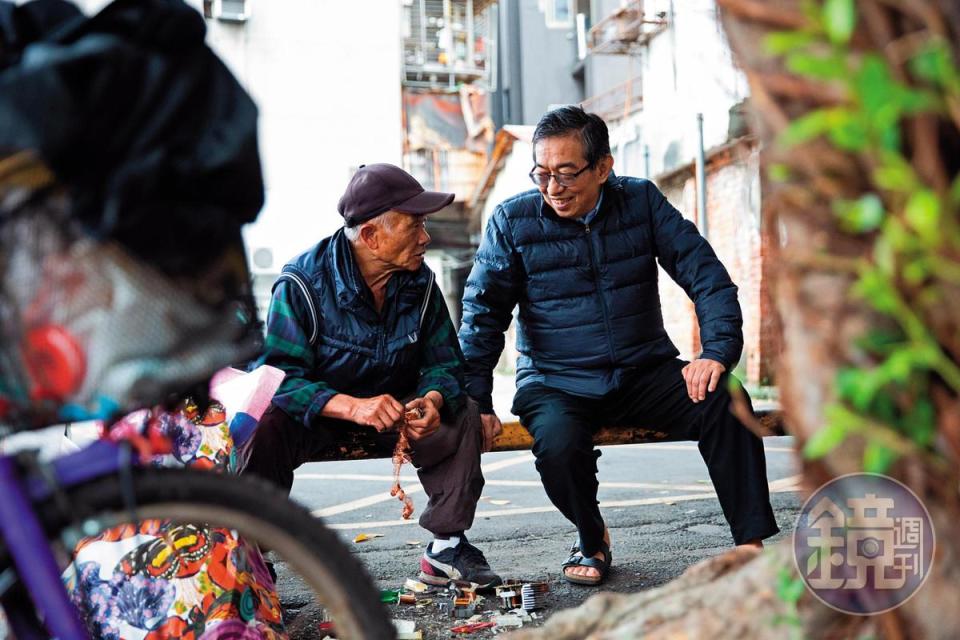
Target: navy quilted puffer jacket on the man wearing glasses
[{"x": 588, "y": 297}]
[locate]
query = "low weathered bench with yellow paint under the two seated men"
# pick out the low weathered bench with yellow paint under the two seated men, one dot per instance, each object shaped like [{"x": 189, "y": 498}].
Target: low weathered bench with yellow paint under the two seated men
[{"x": 361, "y": 446}]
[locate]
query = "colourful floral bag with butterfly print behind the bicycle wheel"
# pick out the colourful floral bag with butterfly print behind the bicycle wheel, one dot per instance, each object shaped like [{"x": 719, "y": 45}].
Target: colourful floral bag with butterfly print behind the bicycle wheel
[{"x": 155, "y": 579}]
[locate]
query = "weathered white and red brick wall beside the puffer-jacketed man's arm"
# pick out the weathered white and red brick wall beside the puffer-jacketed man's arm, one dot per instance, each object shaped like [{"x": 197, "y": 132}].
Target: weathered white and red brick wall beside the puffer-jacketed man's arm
[{"x": 734, "y": 230}]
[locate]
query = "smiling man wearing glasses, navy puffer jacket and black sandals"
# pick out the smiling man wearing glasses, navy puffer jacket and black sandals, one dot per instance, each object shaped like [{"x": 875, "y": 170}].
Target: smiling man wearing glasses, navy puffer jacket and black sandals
[{"x": 577, "y": 254}]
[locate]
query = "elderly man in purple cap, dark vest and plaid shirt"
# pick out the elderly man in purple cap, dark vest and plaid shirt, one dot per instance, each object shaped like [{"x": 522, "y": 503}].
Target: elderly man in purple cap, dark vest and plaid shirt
[{"x": 362, "y": 331}]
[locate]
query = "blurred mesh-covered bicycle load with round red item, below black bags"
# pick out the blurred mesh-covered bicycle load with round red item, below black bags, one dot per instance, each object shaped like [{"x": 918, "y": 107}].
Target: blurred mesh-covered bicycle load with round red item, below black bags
[{"x": 88, "y": 330}]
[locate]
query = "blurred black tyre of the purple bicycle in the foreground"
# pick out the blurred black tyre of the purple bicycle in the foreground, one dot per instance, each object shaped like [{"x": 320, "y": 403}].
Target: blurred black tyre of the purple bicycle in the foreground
[{"x": 255, "y": 509}]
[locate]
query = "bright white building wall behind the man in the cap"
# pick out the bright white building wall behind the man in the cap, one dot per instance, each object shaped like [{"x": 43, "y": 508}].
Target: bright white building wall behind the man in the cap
[{"x": 326, "y": 76}]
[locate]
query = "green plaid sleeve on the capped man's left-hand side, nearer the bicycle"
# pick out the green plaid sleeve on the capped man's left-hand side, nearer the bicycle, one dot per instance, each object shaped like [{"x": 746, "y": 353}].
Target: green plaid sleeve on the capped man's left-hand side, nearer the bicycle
[{"x": 288, "y": 348}]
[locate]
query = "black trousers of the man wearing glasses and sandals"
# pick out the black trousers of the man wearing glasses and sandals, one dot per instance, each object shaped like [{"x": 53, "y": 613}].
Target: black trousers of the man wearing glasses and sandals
[{"x": 562, "y": 426}]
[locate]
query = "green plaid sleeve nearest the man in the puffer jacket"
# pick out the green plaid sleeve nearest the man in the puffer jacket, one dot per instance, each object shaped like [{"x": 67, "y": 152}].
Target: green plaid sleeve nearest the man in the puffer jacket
[{"x": 441, "y": 358}]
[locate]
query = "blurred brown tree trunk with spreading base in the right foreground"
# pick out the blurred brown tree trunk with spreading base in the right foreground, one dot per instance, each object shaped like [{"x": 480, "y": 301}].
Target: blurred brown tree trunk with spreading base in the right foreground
[{"x": 735, "y": 595}]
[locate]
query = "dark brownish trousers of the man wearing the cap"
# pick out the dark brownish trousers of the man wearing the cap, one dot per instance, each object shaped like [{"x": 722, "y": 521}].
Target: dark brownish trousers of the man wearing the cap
[{"x": 447, "y": 461}]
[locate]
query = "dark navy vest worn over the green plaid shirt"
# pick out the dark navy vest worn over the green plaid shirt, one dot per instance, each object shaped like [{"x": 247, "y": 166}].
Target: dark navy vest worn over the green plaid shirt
[{"x": 359, "y": 351}]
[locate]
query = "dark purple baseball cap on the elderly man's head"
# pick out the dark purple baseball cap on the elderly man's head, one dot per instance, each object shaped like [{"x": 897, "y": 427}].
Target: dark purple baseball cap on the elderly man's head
[{"x": 378, "y": 188}]
